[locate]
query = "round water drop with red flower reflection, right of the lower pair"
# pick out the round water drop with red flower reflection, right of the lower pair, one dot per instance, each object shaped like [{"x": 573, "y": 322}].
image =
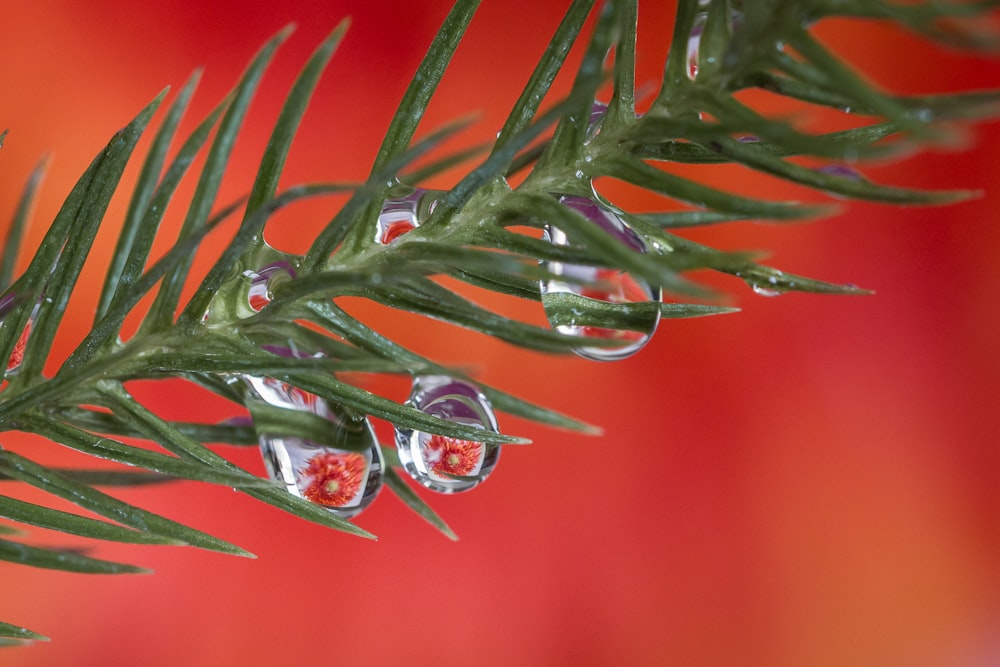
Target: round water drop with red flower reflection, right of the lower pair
[{"x": 442, "y": 463}]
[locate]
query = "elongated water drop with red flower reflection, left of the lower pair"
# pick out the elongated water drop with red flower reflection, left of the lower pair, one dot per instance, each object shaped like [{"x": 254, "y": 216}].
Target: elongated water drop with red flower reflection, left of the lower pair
[{"x": 345, "y": 481}]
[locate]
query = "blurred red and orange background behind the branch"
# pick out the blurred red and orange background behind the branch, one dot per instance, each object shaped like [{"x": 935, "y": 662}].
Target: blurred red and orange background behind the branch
[{"x": 813, "y": 481}]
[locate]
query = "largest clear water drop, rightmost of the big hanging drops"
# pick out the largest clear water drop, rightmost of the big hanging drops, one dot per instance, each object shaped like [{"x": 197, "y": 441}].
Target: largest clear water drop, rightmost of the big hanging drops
[{"x": 599, "y": 284}]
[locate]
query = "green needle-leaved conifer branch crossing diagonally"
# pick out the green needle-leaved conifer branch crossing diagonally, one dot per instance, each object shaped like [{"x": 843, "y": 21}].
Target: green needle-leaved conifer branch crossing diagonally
[{"x": 475, "y": 234}]
